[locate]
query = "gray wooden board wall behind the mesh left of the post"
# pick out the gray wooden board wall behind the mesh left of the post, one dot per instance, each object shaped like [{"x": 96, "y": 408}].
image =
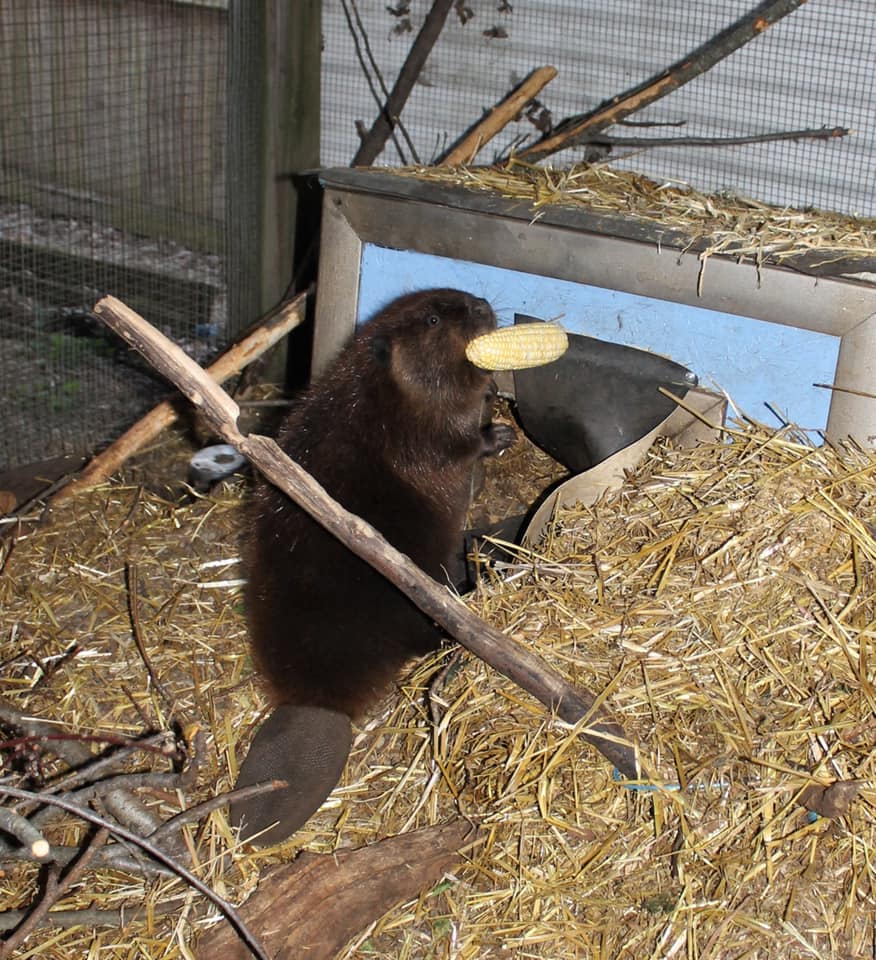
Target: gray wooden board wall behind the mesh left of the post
[{"x": 120, "y": 106}]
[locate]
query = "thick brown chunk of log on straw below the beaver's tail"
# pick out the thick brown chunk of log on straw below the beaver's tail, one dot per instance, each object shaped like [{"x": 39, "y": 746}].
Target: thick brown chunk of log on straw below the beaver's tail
[{"x": 313, "y": 906}]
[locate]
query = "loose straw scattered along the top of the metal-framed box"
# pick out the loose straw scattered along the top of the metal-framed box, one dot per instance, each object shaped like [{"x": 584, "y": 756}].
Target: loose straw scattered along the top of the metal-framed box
[{"x": 713, "y": 223}]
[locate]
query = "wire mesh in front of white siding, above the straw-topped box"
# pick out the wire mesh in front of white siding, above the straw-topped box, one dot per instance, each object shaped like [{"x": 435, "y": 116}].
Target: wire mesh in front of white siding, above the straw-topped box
[{"x": 815, "y": 67}]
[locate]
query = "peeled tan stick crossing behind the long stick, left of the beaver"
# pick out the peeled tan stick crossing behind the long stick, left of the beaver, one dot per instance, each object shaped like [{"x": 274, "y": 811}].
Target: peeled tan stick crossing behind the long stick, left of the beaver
[{"x": 266, "y": 334}]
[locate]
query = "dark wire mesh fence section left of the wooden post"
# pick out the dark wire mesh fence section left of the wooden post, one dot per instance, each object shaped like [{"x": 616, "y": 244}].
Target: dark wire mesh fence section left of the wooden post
[{"x": 111, "y": 180}]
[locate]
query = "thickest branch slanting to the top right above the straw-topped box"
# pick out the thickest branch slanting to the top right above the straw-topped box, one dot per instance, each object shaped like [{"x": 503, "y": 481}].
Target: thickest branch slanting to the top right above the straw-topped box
[{"x": 572, "y": 130}]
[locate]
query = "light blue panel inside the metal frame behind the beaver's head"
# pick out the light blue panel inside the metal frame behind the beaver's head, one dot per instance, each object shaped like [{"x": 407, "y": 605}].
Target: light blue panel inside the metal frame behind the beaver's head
[{"x": 754, "y": 362}]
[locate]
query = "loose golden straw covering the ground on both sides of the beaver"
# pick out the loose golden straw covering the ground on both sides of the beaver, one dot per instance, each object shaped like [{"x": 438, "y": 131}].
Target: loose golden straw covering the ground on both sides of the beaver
[{"x": 722, "y": 600}]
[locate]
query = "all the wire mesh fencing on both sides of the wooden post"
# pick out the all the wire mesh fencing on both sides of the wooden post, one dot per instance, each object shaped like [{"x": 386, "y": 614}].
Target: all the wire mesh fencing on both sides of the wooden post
[{"x": 119, "y": 123}]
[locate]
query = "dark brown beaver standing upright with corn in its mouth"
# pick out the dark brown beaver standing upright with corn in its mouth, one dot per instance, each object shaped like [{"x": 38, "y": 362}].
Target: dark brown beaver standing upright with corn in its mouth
[{"x": 392, "y": 430}]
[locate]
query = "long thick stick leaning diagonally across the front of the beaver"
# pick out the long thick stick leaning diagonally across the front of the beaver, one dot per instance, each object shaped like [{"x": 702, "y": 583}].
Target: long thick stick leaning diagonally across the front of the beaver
[{"x": 571, "y": 704}]
